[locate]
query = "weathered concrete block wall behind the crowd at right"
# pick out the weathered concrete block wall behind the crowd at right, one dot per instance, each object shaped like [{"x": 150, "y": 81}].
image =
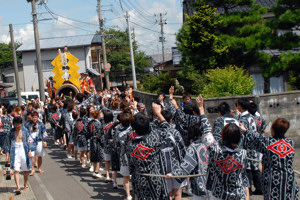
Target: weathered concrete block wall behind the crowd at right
[{"x": 271, "y": 106}]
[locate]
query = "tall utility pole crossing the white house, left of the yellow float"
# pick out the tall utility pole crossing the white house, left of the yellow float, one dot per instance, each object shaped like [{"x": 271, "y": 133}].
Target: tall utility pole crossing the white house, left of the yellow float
[{"x": 38, "y": 51}]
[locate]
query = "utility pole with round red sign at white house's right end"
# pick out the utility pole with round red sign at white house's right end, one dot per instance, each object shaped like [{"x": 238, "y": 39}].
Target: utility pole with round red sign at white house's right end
[{"x": 103, "y": 42}]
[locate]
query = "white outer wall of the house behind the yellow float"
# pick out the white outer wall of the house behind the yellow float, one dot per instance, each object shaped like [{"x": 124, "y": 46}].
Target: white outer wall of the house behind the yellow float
[{"x": 31, "y": 76}]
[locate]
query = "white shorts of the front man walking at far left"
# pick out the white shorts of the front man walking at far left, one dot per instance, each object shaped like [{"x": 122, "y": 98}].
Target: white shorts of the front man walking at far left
[{"x": 20, "y": 158}]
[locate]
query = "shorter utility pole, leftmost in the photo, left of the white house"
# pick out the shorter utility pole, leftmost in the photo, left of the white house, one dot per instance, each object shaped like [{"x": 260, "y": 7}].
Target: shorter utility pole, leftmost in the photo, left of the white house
[{"x": 12, "y": 40}]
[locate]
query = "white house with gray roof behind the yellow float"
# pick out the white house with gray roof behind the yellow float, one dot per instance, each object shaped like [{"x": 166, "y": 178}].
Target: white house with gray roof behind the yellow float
[{"x": 79, "y": 46}]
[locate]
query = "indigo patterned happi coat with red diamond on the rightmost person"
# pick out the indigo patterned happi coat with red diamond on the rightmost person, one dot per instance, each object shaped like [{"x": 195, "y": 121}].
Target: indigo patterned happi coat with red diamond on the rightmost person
[{"x": 279, "y": 182}]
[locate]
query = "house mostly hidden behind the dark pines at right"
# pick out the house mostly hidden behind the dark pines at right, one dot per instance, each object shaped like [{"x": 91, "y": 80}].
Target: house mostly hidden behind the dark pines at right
[{"x": 263, "y": 85}]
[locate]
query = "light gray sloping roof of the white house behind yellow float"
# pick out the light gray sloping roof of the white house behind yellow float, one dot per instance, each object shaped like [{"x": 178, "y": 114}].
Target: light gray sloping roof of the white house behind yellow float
[{"x": 59, "y": 42}]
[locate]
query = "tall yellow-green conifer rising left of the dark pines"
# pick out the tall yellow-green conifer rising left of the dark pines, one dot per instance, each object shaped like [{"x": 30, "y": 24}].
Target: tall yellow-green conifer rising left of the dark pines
[{"x": 199, "y": 45}]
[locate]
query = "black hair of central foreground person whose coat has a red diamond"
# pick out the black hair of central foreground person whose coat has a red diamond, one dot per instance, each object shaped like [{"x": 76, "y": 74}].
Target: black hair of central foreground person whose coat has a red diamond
[{"x": 140, "y": 124}]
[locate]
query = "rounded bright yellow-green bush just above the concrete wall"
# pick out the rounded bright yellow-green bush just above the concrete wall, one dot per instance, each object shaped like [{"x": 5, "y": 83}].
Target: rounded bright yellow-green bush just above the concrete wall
[{"x": 229, "y": 81}]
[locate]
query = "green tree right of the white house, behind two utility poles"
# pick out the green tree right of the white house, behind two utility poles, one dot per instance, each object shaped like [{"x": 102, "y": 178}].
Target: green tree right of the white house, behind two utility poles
[{"x": 118, "y": 55}]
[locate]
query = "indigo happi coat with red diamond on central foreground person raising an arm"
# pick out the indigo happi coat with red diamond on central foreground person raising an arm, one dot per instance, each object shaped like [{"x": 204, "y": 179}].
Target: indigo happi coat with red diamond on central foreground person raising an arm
[{"x": 144, "y": 155}]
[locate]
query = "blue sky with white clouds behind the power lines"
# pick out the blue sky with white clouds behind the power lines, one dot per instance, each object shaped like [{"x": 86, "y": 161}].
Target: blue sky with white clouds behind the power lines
[{"x": 78, "y": 17}]
